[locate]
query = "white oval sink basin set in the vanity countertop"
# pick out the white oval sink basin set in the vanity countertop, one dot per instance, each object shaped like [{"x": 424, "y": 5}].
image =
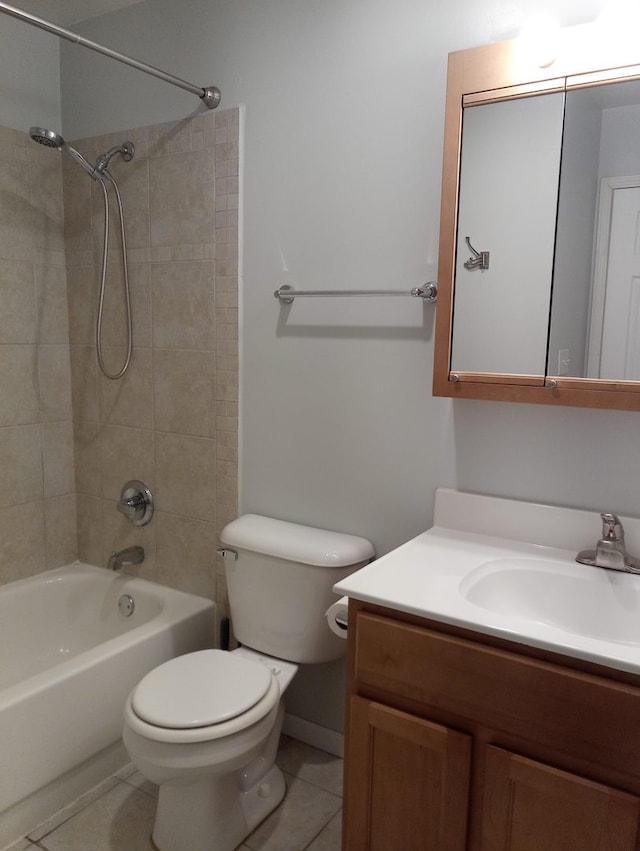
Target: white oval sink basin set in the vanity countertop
[{"x": 587, "y": 601}]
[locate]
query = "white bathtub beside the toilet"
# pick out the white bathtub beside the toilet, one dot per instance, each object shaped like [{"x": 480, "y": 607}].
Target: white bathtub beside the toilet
[{"x": 69, "y": 656}]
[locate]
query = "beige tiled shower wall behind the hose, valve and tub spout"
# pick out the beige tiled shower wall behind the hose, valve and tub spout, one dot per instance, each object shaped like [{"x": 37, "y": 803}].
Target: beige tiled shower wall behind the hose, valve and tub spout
[{"x": 172, "y": 420}]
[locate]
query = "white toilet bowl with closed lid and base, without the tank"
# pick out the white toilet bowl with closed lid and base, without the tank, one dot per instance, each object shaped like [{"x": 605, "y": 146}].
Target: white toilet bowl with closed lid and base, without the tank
[{"x": 205, "y": 728}]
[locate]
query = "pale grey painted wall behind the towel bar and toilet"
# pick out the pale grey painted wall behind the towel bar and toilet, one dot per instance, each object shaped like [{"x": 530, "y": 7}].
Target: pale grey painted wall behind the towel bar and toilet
[{"x": 342, "y": 181}]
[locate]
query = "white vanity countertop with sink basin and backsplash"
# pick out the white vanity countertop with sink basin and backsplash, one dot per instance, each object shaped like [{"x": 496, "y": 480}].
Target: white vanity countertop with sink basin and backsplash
[{"x": 524, "y": 585}]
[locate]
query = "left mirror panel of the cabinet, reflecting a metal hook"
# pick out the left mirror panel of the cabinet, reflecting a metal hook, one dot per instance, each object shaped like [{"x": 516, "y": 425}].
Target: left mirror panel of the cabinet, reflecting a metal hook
[{"x": 510, "y": 165}]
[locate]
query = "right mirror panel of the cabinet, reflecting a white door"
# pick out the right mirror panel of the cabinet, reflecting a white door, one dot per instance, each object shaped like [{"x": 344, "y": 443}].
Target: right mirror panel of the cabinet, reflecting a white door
[{"x": 594, "y": 331}]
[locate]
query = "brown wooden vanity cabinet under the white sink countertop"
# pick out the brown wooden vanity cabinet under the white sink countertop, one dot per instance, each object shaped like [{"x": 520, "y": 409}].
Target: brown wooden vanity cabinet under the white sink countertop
[{"x": 460, "y": 742}]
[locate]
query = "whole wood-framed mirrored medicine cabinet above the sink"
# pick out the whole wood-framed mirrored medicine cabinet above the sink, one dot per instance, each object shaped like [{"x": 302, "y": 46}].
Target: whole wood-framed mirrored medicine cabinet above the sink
[{"x": 538, "y": 281}]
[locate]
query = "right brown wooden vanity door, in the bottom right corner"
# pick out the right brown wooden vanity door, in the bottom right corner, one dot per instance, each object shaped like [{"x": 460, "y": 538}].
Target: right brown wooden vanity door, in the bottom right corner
[{"x": 529, "y": 806}]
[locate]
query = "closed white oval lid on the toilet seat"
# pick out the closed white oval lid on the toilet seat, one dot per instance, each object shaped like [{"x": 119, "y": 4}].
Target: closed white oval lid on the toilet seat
[{"x": 200, "y": 689}]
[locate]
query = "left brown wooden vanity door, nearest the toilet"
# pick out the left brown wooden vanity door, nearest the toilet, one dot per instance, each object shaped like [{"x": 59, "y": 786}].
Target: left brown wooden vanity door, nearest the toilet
[{"x": 407, "y": 782}]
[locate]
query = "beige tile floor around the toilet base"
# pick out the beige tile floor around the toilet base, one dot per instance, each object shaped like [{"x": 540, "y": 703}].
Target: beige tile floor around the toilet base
[{"x": 118, "y": 814}]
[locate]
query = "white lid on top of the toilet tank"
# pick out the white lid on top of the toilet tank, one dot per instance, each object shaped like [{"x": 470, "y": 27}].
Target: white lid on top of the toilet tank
[{"x": 295, "y": 542}]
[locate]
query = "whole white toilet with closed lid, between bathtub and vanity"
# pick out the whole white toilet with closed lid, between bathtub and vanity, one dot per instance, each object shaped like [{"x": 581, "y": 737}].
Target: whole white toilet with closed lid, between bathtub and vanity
[{"x": 205, "y": 726}]
